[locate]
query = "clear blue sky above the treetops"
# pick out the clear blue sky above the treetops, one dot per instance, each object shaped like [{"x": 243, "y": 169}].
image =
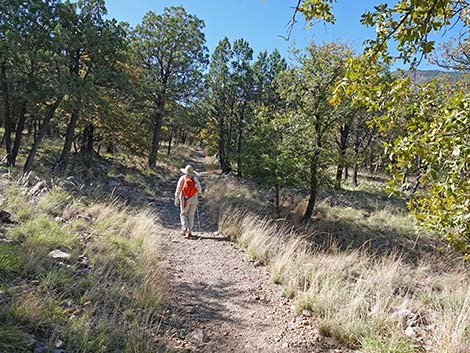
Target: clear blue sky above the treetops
[{"x": 260, "y": 22}]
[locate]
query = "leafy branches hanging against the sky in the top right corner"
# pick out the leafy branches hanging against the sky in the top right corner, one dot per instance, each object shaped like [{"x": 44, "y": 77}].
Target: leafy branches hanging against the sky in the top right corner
[{"x": 407, "y": 23}]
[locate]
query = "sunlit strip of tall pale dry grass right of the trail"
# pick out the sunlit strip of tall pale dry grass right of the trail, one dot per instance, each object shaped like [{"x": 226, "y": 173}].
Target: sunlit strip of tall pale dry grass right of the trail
[{"x": 374, "y": 302}]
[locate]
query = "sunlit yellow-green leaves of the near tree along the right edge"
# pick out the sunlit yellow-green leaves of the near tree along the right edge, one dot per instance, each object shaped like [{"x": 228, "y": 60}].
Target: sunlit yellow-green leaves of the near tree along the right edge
[{"x": 426, "y": 132}]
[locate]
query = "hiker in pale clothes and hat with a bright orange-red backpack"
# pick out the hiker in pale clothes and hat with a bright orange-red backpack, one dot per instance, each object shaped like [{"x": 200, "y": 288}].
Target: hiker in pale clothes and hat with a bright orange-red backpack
[{"x": 186, "y": 197}]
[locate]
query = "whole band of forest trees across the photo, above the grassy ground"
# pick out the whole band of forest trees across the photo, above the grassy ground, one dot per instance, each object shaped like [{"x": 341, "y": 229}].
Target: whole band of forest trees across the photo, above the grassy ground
[{"x": 97, "y": 84}]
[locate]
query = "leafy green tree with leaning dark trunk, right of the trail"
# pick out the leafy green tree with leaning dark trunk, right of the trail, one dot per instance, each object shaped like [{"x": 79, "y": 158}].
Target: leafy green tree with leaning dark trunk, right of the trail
[{"x": 313, "y": 116}]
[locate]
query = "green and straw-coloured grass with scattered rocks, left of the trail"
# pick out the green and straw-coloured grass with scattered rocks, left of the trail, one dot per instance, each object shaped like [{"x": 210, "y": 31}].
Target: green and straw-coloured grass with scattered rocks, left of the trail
[{"x": 106, "y": 297}]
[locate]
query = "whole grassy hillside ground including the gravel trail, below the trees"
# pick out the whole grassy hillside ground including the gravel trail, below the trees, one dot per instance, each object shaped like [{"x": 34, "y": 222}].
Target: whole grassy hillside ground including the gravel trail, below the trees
[{"x": 114, "y": 277}]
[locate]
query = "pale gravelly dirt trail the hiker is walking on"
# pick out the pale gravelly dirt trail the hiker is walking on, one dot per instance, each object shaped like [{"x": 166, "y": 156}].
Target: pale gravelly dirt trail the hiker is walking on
[{"x": 219, "y": 300}]
